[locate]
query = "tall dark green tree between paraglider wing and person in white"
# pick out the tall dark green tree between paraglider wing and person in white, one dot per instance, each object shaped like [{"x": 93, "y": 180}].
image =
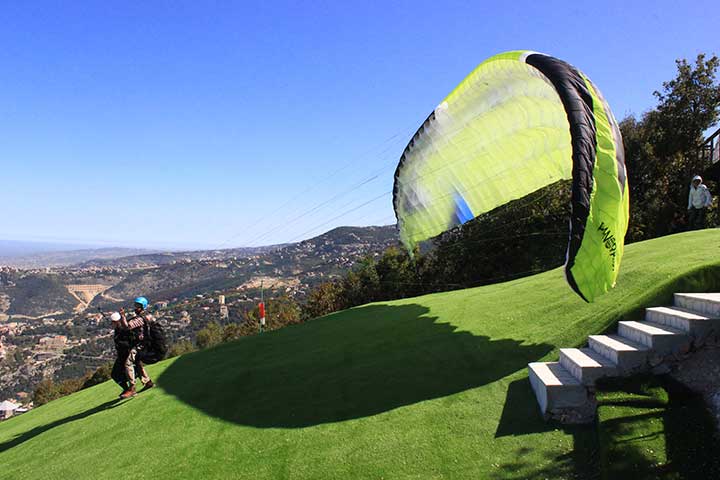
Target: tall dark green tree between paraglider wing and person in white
[{"x": 661, "y": 149}]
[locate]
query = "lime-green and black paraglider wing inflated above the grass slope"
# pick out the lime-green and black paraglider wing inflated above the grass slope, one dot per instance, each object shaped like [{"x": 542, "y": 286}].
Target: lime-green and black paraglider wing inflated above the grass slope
[{"x": 519, "y": 122}]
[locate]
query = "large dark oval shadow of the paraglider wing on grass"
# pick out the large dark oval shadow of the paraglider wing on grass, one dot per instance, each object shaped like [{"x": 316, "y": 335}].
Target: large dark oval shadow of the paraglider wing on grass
[{"x": 370, "y": 360}]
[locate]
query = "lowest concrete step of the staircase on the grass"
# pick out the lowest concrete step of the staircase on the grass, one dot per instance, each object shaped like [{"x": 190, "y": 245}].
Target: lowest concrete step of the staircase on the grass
[{"x": 555, "y": 388}]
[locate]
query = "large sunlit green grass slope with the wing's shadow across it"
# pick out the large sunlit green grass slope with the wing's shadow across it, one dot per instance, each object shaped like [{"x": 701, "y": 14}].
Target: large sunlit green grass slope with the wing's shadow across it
[{"x": 427, "y": 387}]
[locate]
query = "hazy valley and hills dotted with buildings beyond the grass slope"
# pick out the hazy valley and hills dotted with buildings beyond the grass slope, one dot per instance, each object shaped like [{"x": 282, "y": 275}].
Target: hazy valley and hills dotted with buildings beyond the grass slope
[{"x": 52, "y": 319}]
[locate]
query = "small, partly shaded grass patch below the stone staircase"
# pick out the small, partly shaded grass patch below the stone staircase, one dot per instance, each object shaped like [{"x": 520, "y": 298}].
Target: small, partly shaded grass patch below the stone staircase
[{"x": 655, "y": 428}]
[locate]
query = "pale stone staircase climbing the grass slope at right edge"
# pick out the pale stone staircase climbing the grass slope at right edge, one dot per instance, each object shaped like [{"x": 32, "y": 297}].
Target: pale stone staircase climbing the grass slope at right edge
[{"x": 565, "y": 389}]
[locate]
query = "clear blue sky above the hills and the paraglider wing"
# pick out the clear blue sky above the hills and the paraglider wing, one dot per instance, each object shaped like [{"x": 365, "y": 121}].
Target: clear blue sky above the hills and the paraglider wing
[{"x": 201, "y": 124}]
